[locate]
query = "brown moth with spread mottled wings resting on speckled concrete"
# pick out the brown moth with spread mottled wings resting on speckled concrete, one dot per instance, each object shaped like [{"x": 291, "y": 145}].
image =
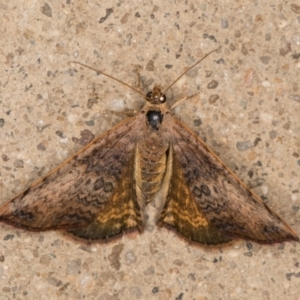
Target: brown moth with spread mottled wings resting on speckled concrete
[{"x": 102, "y": 191}]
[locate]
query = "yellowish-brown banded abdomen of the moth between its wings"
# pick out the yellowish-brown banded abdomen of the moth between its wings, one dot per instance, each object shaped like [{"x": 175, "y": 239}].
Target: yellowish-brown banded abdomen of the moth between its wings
[{"x": 151, "y": 165}]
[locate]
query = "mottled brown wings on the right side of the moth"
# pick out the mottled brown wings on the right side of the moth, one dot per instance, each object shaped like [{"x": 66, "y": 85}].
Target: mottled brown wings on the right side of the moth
[{"x": 215, "y": 197}]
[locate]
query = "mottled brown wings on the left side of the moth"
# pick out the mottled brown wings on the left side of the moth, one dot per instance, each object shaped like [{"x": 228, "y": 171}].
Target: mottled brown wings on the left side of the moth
[{"x": 94, "y": 188}]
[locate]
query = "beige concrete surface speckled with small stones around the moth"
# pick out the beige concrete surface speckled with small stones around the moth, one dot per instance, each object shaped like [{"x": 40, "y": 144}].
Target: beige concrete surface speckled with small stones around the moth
[{"x": 246, "y": 107}]
